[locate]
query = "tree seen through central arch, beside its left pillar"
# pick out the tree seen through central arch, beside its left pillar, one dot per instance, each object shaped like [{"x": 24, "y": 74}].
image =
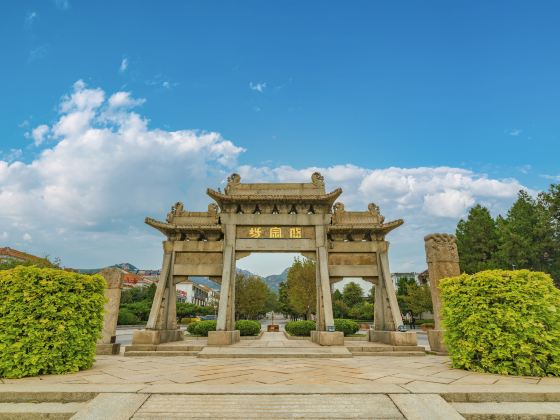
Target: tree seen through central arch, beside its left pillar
[{"x": 251, "y": 294}]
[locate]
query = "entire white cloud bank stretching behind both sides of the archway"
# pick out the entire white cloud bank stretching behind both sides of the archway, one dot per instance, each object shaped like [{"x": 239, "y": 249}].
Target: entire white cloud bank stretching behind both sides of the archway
[{"x": 84, "y": 198}]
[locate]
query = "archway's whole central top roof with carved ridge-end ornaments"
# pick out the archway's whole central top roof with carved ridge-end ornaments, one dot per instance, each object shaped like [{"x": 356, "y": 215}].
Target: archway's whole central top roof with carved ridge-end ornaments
[{"x": 310, "y": 192}]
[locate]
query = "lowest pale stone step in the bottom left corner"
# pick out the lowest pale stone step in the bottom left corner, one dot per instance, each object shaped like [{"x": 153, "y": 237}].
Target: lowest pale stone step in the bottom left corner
[{"x": 39, "y": 410}]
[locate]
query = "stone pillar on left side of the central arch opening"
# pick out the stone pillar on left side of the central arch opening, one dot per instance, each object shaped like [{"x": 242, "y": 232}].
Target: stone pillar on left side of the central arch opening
[{"x": 225, "y": 333}]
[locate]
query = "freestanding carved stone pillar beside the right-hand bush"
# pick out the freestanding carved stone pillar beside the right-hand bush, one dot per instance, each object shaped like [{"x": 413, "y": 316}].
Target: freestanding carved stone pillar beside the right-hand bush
[{"x": 443, "y": 261}]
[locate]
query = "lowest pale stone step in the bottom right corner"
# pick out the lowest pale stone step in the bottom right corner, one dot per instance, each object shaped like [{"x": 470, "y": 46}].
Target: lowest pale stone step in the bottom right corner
[{"x": 508, "y": 410}]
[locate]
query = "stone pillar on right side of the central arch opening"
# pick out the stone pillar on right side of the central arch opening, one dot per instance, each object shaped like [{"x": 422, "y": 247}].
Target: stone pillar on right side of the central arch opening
[{"x": 327, "y": 337}]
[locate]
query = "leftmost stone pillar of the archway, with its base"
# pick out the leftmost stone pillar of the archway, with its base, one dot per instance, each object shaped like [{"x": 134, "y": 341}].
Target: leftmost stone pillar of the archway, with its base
[{"x": 162, "y": 323}]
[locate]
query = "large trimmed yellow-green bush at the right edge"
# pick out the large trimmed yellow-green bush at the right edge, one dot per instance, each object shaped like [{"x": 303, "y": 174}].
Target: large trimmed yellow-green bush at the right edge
[{"x": 504, "y": 322}]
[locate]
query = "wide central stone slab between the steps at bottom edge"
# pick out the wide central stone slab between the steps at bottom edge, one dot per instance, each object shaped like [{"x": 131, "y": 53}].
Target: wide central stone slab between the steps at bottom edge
[{"x": 270, "y": 406}]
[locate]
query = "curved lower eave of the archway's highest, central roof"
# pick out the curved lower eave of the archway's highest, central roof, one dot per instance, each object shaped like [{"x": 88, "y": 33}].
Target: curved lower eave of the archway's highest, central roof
[{"x": 328, "y": 198}]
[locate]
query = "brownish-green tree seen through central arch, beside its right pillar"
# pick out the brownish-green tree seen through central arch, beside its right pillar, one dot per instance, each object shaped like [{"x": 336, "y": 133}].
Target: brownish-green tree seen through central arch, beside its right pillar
[{"x": 301, "y": 288}]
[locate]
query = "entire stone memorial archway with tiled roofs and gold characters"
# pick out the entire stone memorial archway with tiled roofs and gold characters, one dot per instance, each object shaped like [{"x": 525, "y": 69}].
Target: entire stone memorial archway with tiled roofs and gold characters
[{"x": 273, "y": 217}]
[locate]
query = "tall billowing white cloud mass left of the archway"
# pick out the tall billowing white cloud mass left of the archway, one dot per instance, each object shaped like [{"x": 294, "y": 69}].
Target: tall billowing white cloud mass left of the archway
[{"x": 103, "y": 172}]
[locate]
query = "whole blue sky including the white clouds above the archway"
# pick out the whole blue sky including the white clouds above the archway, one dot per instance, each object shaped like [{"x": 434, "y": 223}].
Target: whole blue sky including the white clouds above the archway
[{"x": 352, "y": 88}]
